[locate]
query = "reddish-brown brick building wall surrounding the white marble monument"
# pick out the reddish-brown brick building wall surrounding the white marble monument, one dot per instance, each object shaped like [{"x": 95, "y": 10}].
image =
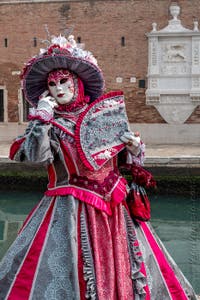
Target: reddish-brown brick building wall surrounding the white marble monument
[{"x": 101, "y": 25}]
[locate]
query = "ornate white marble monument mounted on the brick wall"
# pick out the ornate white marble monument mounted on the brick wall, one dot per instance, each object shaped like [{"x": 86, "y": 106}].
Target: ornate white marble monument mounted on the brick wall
[{"x": 174, "y": 69}]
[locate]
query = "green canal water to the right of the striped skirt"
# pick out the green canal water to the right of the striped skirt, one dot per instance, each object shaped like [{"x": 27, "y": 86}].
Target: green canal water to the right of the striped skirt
[{"x": 176, "y": 220}]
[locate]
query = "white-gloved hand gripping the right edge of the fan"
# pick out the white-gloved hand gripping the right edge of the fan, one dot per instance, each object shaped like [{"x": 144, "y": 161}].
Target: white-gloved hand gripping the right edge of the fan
[{"x": 132, "y": 141}]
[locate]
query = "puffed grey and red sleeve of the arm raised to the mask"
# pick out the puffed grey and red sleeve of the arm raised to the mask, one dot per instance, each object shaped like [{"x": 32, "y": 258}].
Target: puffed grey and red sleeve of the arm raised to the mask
[{"x": 38, "y": 144}]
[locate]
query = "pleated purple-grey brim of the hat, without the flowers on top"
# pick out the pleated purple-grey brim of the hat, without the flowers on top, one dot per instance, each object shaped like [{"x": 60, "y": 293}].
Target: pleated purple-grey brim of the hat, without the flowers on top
[{"x": 35, "y": 78}]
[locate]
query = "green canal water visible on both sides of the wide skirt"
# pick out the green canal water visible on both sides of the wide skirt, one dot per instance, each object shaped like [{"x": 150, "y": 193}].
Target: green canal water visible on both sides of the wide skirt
[{"x": 176, "y": 220}]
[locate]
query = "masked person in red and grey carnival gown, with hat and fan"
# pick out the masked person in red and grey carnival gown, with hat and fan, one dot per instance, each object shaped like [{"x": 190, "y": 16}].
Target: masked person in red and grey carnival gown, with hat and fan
[{"x": 87, "y": 238}]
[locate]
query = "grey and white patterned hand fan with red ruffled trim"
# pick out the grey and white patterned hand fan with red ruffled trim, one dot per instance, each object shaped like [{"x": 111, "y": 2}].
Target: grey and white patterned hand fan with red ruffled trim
[{"x": 99, "y": 130}]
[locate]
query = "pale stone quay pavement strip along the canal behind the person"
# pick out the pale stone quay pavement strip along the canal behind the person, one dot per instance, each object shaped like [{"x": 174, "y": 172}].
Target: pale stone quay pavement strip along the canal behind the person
[{"x": 156, "y": 155}]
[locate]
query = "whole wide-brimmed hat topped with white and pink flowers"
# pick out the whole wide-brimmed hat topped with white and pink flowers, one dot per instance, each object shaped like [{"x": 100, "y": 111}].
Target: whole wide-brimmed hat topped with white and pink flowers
[{"x": 62, "y": 53}]
